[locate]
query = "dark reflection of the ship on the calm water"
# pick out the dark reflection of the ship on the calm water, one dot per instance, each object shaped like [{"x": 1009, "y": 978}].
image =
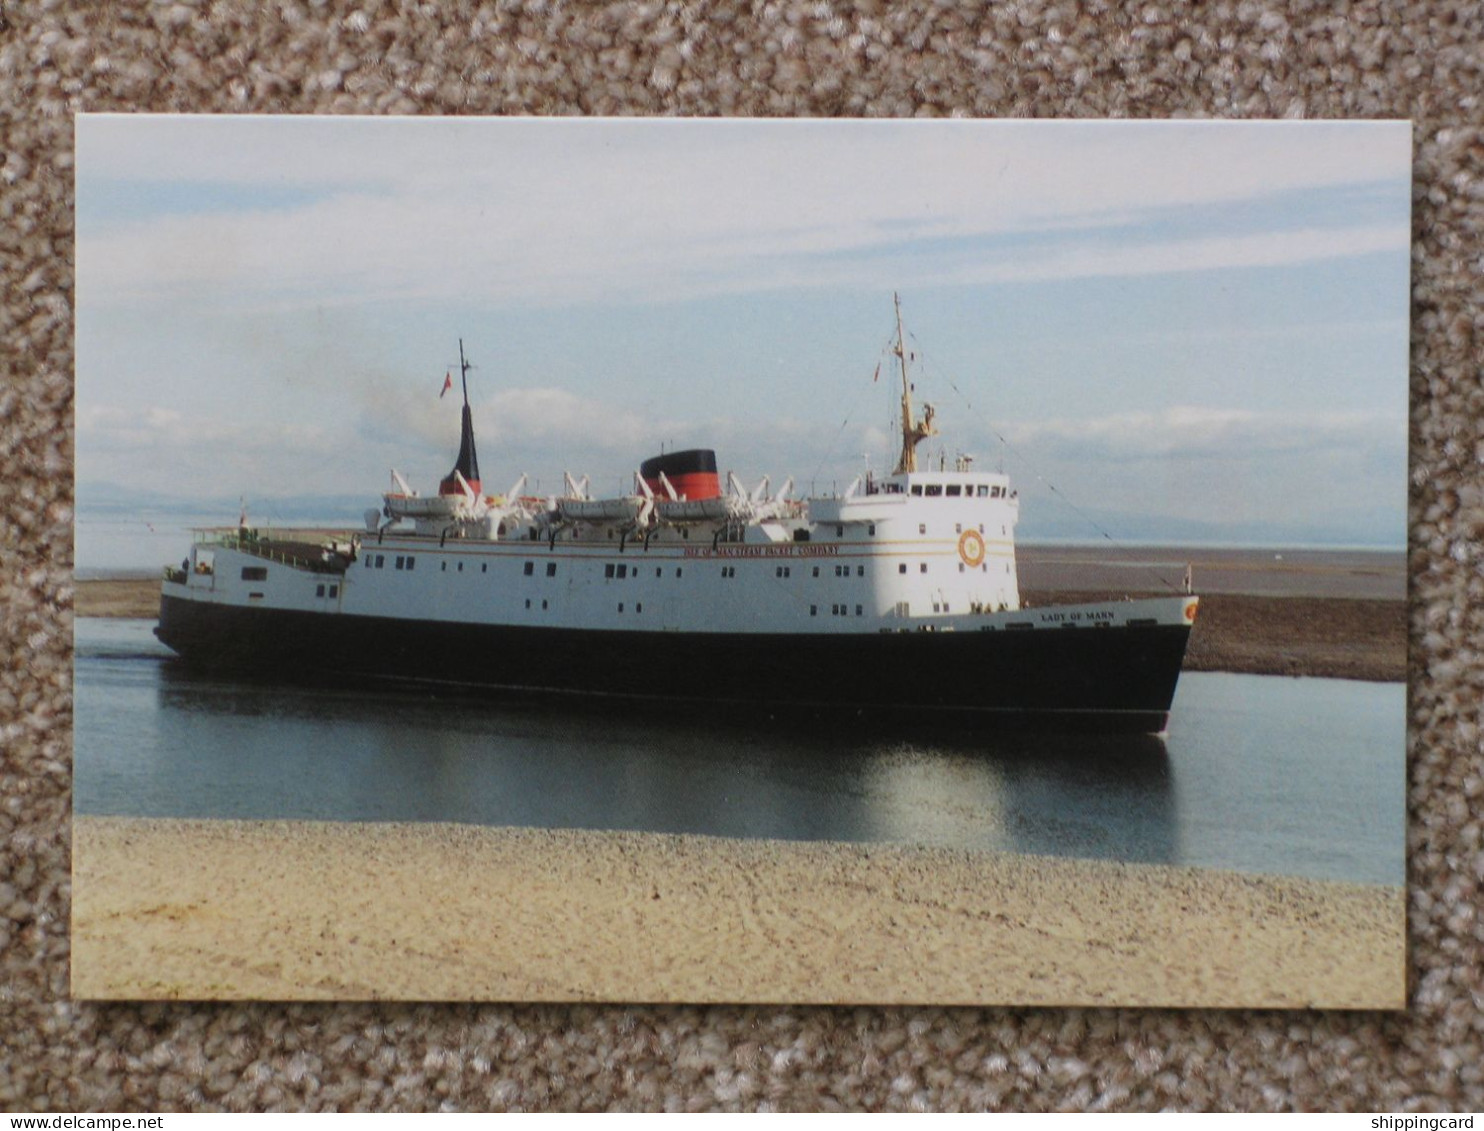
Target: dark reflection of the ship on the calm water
[{"x": 394, "y": 755}]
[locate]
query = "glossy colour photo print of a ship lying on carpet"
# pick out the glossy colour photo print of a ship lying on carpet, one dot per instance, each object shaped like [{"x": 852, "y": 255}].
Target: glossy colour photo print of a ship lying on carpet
[{"x": 823, "y": 562}]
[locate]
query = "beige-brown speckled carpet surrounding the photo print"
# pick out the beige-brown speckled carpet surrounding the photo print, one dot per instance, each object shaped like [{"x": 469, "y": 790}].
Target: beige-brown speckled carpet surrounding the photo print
[{"x": 1370, "y": 59}]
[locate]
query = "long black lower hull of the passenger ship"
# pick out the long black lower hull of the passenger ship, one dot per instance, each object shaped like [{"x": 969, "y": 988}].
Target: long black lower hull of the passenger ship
[{"x": 1100, "y": 679}]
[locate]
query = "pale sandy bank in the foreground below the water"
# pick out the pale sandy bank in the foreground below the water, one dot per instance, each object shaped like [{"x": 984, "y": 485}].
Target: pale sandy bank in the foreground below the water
[{"x": 312, "y": 911}]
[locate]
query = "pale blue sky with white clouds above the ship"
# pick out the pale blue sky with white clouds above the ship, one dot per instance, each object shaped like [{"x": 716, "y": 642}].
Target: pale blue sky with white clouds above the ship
[{"x": 1163, "y": 332}]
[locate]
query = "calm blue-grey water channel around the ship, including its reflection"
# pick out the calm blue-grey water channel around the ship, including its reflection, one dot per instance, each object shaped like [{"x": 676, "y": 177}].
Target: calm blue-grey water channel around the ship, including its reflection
[{"x": 1258, "y": 774}]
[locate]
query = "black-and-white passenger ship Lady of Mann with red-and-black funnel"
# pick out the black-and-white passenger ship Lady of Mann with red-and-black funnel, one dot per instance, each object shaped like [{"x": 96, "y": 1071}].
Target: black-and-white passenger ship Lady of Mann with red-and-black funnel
[{"x": 894, "y": 597}]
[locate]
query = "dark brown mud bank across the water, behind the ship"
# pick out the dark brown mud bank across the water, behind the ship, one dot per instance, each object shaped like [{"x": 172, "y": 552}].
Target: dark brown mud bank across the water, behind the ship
[{"x": 1327, "y": 637}]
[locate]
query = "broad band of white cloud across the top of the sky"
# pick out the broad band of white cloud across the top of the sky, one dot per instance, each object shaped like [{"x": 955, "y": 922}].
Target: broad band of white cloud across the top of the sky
[{"x": 568, "y": 213}]
